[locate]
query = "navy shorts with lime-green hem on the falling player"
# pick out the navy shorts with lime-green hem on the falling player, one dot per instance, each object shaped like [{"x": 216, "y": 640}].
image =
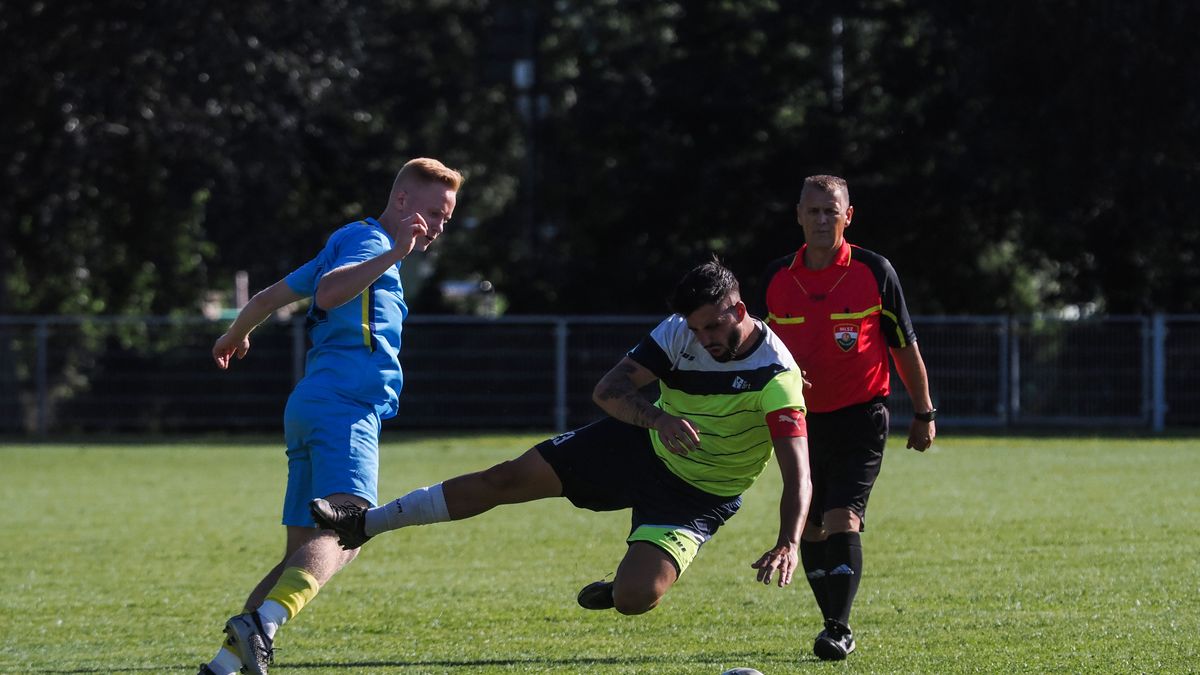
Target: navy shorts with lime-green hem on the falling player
[{"x": 610, "y": 465}]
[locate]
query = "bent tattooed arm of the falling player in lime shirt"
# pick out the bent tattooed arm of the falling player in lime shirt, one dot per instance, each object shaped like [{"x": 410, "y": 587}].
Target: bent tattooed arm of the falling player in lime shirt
[{"x": 617, "y": 395}]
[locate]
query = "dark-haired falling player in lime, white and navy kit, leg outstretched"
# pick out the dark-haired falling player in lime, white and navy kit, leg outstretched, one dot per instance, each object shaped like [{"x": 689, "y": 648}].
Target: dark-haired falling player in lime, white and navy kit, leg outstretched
[{"x": 730, "y": 396}]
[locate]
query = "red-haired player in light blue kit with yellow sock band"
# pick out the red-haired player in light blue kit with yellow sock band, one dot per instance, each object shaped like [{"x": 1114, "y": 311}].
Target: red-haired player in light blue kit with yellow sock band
[{"x": 352, "y": 383}]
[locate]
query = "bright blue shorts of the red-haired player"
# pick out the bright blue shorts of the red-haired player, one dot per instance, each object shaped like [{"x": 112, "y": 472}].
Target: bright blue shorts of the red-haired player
[{"x": 332, "y": 449}]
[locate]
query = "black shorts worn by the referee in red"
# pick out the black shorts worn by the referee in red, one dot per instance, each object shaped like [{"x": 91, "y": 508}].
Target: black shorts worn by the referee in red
[{"x": 847, "y": 453}]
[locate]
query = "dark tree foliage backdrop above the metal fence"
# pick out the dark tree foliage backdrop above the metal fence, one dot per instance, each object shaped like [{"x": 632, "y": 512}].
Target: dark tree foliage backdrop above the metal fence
[{"x": 1007, "y": 157}]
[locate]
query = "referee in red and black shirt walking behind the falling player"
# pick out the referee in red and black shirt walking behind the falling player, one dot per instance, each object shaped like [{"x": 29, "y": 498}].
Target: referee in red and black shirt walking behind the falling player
[{"x": 841, "y": 312}]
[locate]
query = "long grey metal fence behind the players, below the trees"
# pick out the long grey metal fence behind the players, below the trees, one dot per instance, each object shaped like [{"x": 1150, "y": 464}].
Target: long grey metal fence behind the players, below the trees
[{"x": 155, "y": 375}]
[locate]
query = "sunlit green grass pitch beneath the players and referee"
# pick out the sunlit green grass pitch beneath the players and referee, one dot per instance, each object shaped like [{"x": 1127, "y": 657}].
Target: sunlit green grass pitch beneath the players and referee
[{"x": 985, "y": 555}]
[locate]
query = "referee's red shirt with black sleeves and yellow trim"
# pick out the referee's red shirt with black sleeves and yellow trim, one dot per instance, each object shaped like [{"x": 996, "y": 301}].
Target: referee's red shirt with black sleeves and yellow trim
[{"x": 839, "y": 322}]
